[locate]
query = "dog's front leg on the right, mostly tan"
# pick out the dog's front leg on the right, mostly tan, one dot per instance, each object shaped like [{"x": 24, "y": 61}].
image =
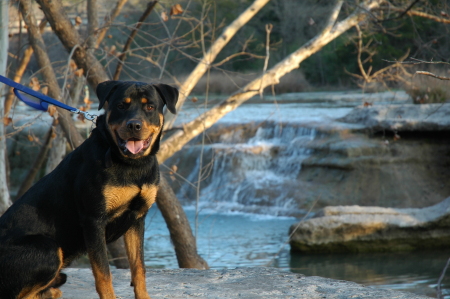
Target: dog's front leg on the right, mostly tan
[{"x": 135, "y": 251}]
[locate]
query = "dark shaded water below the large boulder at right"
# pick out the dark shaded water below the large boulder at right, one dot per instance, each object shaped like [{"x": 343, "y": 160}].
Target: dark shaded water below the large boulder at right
[{"x": 416, "y": 272}]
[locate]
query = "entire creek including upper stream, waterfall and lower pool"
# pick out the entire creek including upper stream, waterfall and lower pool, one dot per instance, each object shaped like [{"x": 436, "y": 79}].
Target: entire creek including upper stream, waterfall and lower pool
[{"x": 250, "y": 189}]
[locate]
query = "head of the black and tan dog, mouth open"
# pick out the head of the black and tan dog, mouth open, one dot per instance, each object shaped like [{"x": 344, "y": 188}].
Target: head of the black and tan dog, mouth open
[{"x": 134, "y": 114}]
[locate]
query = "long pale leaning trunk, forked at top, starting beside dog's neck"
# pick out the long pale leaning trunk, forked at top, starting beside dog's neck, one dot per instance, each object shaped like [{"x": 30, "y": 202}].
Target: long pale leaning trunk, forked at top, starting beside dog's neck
[{"x": 192, "y": 129}]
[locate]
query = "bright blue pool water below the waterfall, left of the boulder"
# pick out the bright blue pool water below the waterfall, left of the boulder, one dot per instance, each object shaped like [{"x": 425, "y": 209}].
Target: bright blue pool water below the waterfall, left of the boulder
[{"x": 224, "y": 240}]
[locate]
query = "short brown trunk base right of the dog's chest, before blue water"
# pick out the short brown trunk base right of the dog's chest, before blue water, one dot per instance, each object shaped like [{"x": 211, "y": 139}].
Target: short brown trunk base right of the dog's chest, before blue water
[{"x": 180, "y": 230}]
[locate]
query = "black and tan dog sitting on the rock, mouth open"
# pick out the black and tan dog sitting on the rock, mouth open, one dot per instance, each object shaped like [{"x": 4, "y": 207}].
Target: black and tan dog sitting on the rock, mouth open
[{"x": 99, "y": 192}]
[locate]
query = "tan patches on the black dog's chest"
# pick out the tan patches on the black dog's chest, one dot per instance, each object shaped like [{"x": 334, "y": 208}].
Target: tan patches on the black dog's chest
[{"x": 119, "y": 199}]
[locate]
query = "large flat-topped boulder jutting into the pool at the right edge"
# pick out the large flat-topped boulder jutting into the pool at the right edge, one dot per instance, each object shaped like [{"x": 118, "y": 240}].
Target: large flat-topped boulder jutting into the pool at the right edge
[{"x": 364, "y": 229}]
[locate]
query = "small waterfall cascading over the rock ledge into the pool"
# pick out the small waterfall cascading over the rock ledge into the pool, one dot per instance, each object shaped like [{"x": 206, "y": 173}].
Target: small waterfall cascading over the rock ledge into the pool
[{"x": 251, "y": 172}]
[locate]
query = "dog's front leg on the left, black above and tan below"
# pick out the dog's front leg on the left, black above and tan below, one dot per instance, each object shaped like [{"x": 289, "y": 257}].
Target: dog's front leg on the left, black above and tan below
[{"x": 94, "y": 236}]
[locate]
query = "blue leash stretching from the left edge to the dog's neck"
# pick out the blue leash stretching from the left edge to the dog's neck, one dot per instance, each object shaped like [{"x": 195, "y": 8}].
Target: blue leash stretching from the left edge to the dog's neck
[{"x": 41, "y": 101}]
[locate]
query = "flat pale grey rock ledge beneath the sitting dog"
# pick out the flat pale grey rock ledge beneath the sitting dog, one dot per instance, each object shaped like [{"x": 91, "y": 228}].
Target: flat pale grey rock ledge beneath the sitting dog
[{"x": 228, "y": 283}]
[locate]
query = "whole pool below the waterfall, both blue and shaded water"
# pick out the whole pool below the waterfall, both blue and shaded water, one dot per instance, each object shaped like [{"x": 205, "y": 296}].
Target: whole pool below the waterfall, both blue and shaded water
[{"x": 248, "y": 240}]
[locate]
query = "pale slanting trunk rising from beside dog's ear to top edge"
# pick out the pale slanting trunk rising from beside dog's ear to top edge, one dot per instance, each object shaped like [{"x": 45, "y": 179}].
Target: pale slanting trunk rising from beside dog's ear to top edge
[{"x": 205, "y": 63}]
